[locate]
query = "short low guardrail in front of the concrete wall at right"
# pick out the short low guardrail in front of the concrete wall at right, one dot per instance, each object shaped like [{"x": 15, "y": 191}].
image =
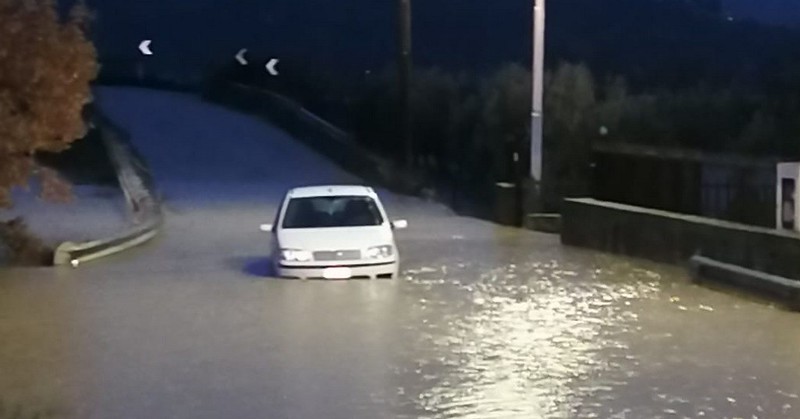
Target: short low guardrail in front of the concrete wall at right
[{"x": 703, "y": 268}]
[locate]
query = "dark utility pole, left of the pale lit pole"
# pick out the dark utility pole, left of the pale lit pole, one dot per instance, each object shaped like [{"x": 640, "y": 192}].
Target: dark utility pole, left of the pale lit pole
[{"x": 404, "y": 66}]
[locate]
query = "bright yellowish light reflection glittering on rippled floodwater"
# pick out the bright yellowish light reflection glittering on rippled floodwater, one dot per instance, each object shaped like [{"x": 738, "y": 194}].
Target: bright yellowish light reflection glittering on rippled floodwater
[{"x": 523, "y": 341}]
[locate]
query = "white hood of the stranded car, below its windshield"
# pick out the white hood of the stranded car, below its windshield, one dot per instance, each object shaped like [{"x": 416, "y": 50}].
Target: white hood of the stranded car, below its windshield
[{"x": 335, "y": 238}]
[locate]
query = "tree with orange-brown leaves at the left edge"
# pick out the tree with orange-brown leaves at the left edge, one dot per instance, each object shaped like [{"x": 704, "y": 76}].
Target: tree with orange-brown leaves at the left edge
[{"x": 46, "y": 66}]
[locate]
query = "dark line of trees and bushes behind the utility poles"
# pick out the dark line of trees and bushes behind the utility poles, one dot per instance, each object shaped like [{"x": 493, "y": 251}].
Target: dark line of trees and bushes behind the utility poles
[{"x": 467, "y": 128}]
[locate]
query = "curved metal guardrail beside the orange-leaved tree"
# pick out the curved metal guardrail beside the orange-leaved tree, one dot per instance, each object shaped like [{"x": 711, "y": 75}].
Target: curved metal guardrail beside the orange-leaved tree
[{"x": 143, "y": 203}]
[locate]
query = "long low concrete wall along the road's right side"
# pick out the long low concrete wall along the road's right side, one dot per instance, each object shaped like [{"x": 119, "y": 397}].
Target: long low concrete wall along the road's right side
[{"x": 673, "y": 238}]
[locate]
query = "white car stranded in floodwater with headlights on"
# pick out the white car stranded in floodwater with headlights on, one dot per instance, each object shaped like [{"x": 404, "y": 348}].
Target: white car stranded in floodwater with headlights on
[{"x": 333, "y": 232}]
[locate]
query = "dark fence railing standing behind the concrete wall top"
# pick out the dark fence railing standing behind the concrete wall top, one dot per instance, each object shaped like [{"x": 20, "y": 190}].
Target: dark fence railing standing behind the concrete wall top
[{"x": 741, "y": 191}]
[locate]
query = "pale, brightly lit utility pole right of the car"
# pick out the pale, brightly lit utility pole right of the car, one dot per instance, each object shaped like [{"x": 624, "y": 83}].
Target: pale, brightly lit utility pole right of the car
[{"x": 537, "y": 111}]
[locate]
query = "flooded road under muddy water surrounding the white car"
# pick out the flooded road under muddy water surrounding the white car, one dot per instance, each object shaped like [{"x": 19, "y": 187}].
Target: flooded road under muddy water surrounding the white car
[{"x": 485, "y": 322}]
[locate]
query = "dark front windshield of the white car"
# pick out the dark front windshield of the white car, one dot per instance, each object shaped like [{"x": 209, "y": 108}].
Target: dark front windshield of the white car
[{"x": 332, "y": 211}]
